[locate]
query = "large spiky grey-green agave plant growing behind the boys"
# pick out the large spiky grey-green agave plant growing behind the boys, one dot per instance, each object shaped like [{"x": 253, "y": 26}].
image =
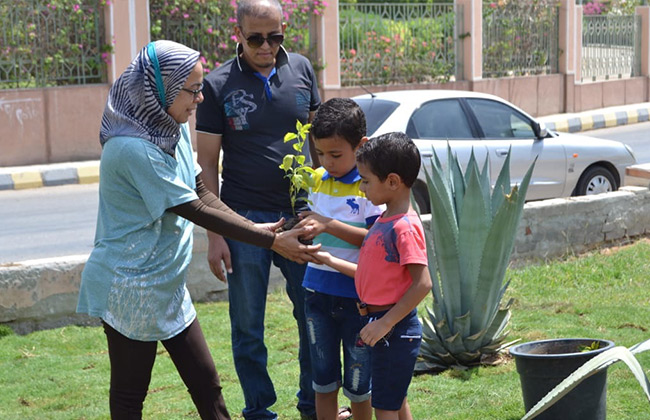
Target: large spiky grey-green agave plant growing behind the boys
[{"x": 469, "y": 242}]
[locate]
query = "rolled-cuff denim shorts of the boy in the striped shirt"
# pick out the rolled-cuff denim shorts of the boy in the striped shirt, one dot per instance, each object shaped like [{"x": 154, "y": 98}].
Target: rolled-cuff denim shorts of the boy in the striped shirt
[{"x": 332, "y": 321}]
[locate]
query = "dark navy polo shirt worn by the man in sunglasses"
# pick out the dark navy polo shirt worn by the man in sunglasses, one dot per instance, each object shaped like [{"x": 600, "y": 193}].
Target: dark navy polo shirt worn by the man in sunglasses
[{"x": 253, "y": 117}]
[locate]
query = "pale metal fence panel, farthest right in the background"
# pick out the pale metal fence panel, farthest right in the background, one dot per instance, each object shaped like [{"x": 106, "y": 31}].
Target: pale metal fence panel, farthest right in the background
[{"x": 611, "y": 47}]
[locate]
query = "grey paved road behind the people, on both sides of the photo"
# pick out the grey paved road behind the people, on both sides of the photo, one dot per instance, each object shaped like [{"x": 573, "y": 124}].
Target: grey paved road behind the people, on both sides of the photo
[{"x": 58, "y": 221}]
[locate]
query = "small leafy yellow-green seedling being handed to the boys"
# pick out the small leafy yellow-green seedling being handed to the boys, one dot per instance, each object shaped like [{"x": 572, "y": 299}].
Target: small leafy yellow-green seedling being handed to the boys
[{"x": 297, "y": 172}]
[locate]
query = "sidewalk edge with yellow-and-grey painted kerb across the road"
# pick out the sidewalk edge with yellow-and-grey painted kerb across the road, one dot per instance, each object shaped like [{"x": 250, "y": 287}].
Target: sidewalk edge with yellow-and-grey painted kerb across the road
[{"x": 87, "y": 172}]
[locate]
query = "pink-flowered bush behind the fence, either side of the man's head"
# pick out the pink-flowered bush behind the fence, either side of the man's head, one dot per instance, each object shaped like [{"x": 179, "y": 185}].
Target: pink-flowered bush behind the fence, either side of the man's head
[{"x": 207, "y": 26}]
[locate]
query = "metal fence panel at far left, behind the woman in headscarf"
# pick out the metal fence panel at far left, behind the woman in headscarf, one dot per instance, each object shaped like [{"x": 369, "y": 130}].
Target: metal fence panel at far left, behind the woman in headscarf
[{"x": 47, "y": 45}]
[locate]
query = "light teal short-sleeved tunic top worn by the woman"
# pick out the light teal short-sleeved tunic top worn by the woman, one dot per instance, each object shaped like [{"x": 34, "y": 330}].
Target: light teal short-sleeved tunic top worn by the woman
[{"x": 135, "y": 277}]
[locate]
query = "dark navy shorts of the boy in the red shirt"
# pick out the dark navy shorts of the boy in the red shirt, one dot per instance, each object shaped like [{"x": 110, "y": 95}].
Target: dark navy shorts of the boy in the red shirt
[{"x": 393, "y": 360}]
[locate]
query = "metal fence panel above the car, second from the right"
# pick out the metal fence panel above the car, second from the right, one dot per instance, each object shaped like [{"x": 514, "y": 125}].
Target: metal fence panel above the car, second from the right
[{"x": 520, "y": 38}]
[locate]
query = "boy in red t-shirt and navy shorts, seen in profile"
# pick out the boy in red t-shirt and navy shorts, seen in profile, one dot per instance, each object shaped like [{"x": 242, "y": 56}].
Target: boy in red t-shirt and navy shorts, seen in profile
[{"x": 391, "y": 277}]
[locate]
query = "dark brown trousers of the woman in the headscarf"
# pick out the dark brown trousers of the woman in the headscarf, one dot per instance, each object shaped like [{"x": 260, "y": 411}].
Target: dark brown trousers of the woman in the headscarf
[{"x": 132, "y": 361}]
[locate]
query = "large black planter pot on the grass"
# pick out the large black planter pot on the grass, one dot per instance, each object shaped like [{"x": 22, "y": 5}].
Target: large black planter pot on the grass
[{"x": 544, "y": 364}]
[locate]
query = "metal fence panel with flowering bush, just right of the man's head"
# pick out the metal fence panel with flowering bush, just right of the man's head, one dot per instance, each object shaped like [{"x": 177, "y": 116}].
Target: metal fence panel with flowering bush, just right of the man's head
[{"x": 386, "y": 43}]
